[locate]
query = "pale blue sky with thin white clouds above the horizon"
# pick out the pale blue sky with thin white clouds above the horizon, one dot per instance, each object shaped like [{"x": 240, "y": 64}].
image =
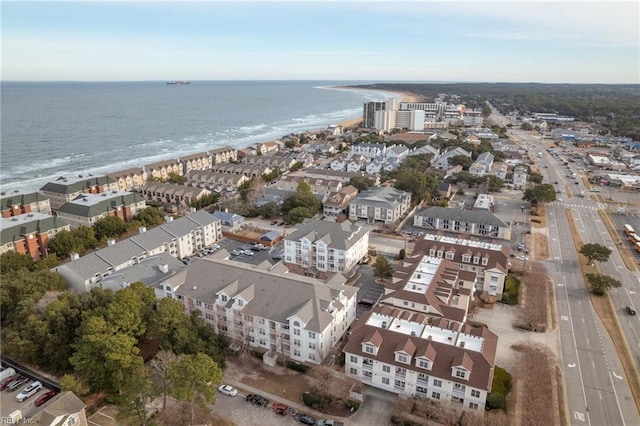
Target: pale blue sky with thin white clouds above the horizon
[{"x": 376, "y": 41}]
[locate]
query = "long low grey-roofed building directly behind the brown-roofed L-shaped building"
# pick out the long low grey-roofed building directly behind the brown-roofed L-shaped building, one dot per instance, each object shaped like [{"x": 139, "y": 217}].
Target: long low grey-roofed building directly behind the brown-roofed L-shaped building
[{"x": 477, "y": 223}]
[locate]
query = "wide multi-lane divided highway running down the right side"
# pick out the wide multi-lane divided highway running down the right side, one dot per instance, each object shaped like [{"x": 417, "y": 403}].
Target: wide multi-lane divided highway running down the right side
[{"x": 597, "y": 391}]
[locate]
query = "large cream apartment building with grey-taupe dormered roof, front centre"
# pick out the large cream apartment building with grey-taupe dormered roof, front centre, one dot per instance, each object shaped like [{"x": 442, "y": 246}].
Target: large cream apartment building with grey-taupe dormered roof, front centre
[{"x": 265, "y": 308}]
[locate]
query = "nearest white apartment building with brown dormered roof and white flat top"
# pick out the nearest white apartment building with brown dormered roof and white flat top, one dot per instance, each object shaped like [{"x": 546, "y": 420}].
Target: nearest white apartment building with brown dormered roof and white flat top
[{"x": 400, "y": 352}]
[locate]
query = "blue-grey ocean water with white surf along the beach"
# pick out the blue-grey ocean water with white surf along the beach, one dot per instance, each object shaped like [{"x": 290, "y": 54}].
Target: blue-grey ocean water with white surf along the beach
[{"x": 74, "y": 128}]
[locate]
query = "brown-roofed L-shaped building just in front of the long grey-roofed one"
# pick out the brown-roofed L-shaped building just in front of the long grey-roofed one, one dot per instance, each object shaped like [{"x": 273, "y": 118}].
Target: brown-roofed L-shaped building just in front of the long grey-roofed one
[{"x": 489, "y": 261}]
